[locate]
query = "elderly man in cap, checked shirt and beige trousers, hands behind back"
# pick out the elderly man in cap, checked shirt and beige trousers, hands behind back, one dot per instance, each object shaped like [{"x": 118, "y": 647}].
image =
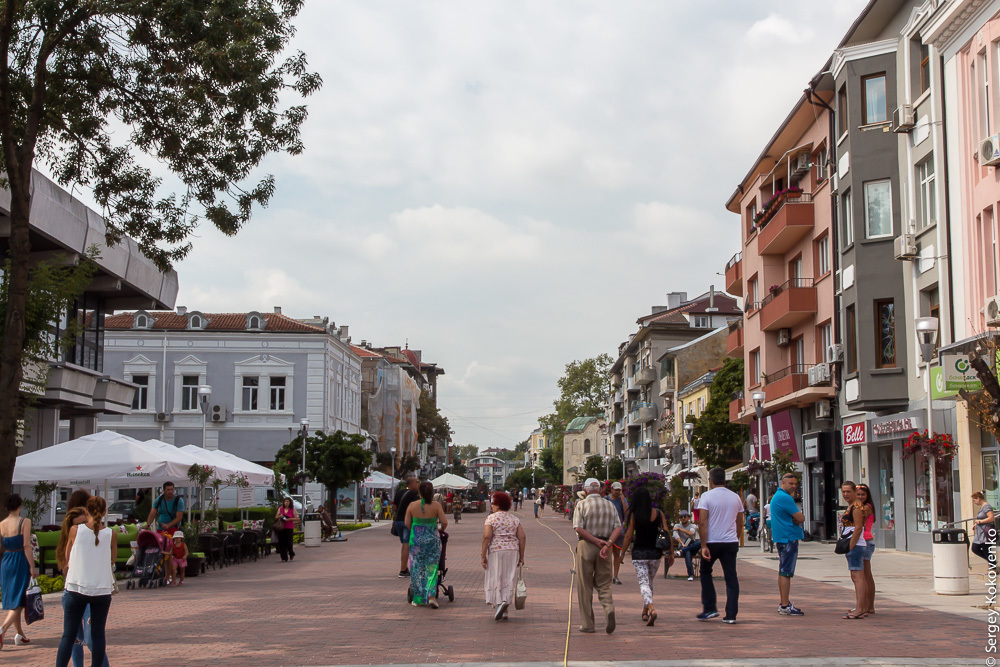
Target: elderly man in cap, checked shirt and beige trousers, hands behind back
[{"x": 597, "y": 525}]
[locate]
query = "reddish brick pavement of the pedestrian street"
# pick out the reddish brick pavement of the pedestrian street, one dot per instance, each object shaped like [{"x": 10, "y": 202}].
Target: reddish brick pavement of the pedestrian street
[{"x": 342, "y": 604}]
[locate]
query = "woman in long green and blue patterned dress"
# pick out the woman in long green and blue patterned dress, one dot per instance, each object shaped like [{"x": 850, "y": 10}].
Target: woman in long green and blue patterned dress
[{"x": 425, "y": 545}]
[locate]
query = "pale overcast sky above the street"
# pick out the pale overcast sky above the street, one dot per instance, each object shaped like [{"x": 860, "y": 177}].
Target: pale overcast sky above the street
[{"x": 509, "y": 185}]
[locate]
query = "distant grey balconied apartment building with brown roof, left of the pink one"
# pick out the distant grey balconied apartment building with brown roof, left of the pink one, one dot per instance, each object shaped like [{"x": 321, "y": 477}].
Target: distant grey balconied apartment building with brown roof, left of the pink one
[{"x": 637, "y": 405}]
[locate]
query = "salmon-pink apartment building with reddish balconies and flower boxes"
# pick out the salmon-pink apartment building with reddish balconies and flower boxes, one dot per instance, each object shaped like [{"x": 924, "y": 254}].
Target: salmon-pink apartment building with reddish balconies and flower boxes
[{"x": 785, "y": 272}]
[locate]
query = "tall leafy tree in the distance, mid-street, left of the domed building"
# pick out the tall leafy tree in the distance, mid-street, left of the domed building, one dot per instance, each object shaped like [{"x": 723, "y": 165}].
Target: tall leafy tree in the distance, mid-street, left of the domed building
[{"x": 582, "y": 393}]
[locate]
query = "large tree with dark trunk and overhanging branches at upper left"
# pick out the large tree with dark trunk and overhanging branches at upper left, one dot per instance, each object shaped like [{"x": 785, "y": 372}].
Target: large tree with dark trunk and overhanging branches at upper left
[{"x": 95, "y": 90}]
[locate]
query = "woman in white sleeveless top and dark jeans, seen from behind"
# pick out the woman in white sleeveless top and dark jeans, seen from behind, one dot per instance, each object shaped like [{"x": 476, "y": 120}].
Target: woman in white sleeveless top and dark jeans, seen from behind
[{"x": 92, "y": 549}]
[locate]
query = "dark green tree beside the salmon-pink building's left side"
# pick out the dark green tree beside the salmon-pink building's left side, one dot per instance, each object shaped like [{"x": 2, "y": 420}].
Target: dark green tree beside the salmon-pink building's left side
[{"x": 715, "y": 440}]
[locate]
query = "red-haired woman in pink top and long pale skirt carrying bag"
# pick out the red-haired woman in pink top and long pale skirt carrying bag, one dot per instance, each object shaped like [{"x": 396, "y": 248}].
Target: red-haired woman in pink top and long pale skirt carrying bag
[{"x": 502, "y": 553}]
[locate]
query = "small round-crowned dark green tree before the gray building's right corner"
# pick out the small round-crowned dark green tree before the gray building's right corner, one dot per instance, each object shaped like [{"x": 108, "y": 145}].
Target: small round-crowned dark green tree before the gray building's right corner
[{"x": 335, "y": 461}]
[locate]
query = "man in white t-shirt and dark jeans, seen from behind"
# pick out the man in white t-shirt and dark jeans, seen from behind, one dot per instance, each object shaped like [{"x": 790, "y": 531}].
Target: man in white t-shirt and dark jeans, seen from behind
[{"x": 720, "y": 525}]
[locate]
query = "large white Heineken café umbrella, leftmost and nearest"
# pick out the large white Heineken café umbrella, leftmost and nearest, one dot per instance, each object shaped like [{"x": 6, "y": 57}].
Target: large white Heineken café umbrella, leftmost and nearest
[{"x": 105, "y": 459}]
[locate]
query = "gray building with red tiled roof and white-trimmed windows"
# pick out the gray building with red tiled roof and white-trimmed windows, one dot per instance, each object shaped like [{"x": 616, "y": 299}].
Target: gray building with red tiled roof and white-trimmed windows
[{"x": 266, "y": 372}]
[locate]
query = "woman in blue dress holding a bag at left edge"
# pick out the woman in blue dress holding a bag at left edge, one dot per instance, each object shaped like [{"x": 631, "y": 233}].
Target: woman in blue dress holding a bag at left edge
[{"x": 16, "y": 568}]
